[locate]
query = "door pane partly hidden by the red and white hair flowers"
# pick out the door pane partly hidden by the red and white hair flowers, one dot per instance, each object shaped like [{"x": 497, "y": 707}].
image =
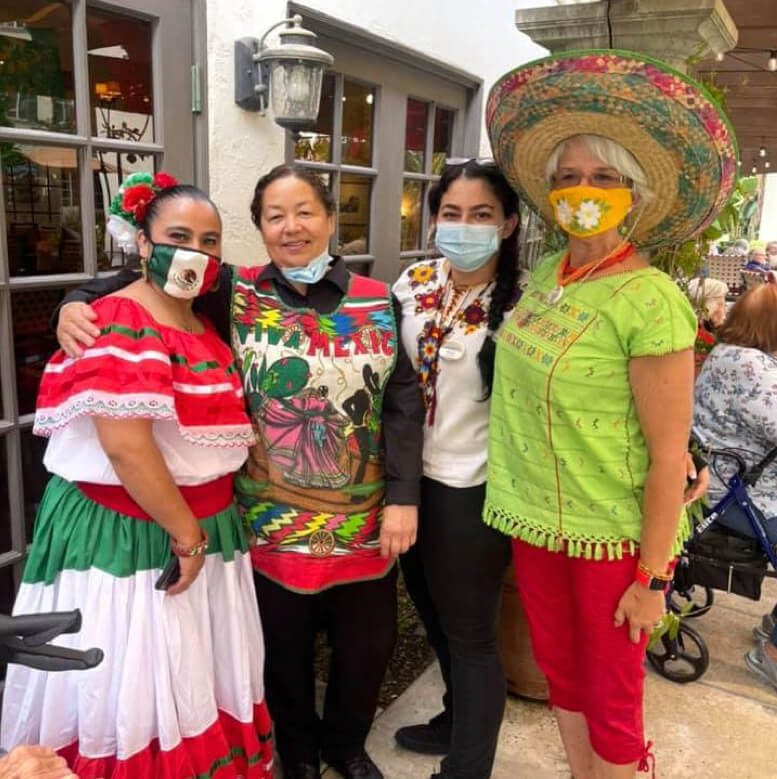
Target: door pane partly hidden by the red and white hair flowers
[{"x": 109, "y": 169}]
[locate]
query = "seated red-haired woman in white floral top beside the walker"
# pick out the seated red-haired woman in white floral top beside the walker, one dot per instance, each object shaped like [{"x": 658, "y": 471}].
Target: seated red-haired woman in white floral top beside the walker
[{"x": 735, "y": 401}]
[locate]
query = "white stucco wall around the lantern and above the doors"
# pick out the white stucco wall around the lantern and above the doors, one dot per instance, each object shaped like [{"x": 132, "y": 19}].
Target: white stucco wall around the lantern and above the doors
[{"x": 480, "y": 38}]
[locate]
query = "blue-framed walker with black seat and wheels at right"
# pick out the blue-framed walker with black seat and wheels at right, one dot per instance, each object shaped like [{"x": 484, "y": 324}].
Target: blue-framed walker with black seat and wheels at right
[{"x": 733, "y": 548}]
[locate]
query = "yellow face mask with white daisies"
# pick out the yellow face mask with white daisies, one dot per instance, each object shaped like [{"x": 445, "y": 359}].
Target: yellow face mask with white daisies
[{"x": 585, "y": 211}]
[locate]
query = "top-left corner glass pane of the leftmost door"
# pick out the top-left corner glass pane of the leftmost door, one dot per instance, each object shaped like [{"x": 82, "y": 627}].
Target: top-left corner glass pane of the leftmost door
[{"x": 36, "y": 66}]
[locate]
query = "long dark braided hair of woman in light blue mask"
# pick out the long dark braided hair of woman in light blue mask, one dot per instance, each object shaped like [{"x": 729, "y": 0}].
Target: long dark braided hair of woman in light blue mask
[{"x": 507, "y": 264}]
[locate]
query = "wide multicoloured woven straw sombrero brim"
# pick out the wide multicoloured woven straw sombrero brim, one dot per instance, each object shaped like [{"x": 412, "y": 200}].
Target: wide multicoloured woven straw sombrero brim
[{"x": 669, "y": 122}]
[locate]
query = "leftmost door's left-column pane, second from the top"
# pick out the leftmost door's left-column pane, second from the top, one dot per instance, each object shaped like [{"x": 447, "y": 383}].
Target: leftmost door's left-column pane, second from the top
[{"x": 42, "y": 209}]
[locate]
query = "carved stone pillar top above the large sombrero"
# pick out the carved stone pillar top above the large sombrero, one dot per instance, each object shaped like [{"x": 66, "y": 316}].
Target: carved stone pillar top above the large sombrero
[{"x": 670, "y": 30}]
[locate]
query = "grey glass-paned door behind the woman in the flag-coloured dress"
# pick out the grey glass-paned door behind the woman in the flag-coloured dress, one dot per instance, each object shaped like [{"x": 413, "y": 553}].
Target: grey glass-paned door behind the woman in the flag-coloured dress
[{"x": 78, "y": 112}]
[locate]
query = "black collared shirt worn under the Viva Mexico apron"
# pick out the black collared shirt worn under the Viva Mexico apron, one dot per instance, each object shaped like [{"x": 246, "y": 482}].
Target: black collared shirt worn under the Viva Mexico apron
[{"x": 403, "y": 413}]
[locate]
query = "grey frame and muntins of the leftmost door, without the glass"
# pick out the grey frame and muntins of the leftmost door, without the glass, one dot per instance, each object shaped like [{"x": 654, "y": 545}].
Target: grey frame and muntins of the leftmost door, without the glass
[{"x": 184, "y": 149}]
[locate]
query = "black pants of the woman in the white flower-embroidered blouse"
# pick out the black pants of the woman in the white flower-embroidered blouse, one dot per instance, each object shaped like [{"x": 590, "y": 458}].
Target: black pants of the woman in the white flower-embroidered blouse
[{"x": 454, "y": 576}]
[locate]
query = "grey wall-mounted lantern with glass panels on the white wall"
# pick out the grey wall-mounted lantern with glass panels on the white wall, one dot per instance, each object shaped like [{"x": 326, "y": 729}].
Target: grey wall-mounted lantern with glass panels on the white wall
[{"x": 288, "y": 76}]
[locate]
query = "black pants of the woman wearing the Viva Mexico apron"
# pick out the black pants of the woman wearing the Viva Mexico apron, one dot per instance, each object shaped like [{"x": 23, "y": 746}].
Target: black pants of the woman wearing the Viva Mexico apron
[{"x": 360, "y": 620}]
